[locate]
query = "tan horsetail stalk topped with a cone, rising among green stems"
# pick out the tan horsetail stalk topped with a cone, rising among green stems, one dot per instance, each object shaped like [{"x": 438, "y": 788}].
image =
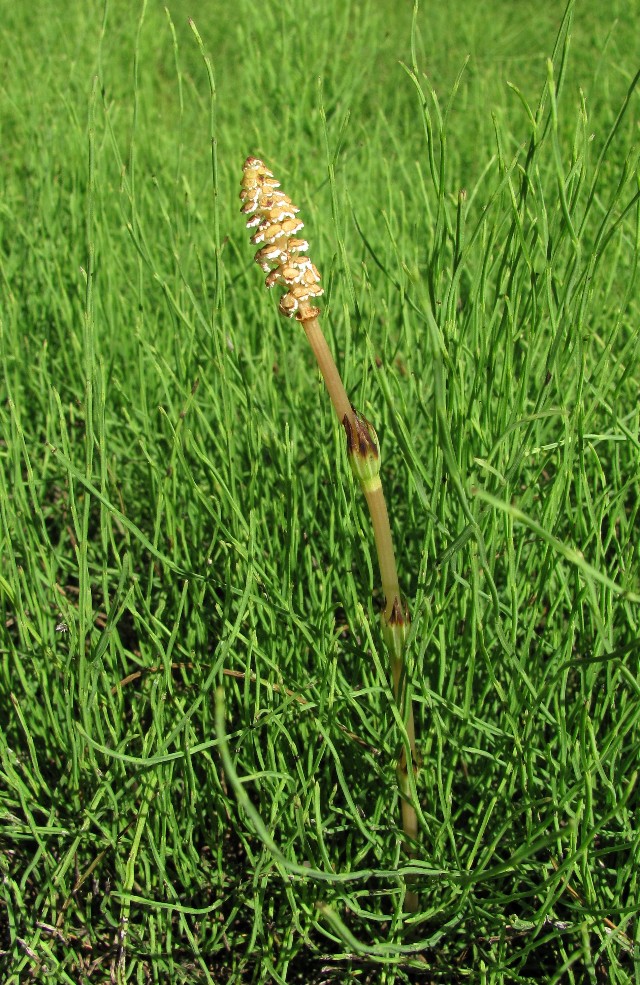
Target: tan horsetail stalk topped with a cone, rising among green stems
[{"x": 274, "y": 218}]
